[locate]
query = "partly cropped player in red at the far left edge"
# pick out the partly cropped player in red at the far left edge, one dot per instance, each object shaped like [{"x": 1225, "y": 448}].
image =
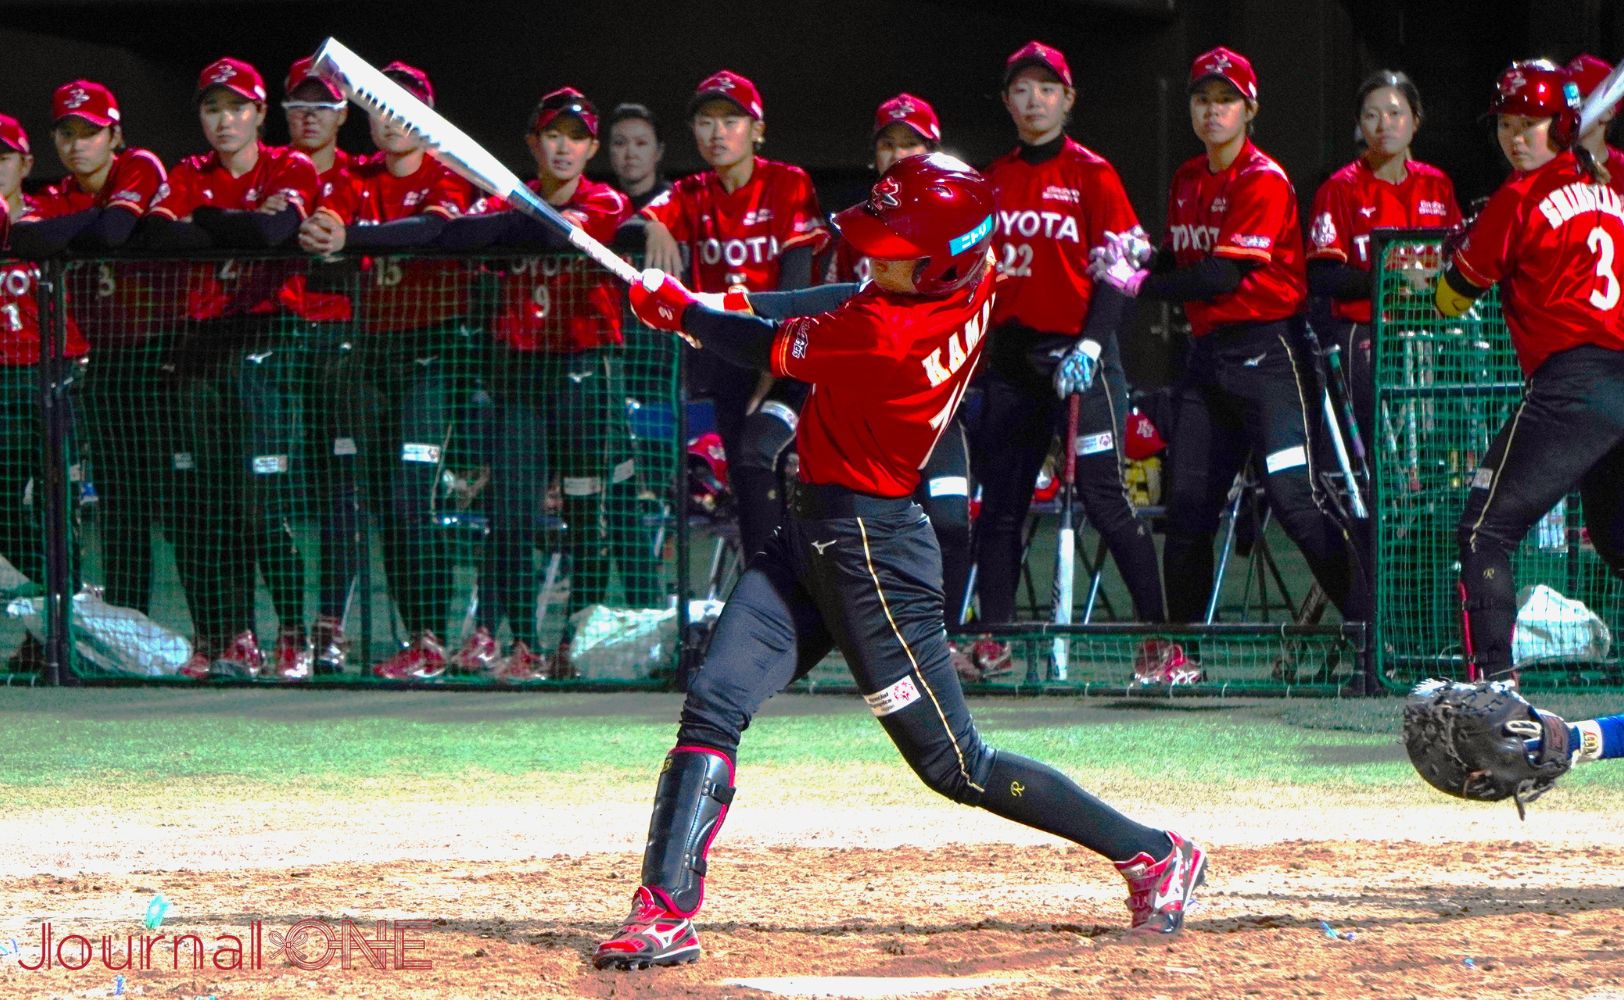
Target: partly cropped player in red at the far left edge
[{"x": 22, "y": 524}]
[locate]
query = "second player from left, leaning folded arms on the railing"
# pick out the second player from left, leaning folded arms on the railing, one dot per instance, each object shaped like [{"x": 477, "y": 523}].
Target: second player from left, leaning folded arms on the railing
[{"x": 124, "y": 311}]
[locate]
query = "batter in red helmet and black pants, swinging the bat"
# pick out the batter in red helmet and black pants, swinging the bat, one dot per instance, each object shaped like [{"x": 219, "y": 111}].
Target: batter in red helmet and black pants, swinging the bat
[{"x": 857, "y": 562}]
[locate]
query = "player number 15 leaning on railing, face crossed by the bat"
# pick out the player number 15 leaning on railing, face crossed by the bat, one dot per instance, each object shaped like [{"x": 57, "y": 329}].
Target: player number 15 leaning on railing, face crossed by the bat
[{"x": 413, "y": 329}]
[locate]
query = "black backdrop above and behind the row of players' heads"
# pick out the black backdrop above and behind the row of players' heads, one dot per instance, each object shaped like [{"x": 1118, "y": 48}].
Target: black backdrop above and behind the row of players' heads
[{"x": 823, "y": 67}]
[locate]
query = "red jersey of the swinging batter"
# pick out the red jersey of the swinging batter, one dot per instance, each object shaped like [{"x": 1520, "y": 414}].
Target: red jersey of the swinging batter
[{"x": 888, "y": 374}]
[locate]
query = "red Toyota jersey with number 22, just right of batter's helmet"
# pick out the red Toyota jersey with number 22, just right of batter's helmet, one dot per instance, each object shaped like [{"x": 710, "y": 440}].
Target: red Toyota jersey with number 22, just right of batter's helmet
[{"x": 1050, "y": 217}]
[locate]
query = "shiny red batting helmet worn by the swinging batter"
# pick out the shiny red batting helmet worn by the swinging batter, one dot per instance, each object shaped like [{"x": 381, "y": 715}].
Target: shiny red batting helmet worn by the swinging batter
[{"x": 931, "y": 207}]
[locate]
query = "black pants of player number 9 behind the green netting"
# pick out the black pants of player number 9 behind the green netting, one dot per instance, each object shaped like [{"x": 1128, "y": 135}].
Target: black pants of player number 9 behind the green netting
[{"x": 563, "y": 415}]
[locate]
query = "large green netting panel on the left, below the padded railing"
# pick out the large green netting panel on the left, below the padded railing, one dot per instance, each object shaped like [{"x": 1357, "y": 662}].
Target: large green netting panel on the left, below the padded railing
[{"x": 433, "y": 447}]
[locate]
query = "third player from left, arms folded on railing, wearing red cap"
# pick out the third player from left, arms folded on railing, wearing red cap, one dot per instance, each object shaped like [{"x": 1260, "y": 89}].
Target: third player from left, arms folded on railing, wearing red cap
[{"x": 235, "y": 475}]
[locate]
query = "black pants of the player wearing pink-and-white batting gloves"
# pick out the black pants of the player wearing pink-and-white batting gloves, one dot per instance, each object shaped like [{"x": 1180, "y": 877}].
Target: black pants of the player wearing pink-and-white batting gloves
[{"x": 1246, "y": 392}]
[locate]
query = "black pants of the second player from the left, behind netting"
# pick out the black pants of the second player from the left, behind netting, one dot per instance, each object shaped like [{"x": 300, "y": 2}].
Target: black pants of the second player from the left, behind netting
[{"x": 126, "y": 416}]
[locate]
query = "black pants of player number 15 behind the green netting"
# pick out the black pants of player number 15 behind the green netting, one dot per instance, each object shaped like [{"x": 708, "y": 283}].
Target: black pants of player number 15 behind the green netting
[{"x": 400, "y": 418}]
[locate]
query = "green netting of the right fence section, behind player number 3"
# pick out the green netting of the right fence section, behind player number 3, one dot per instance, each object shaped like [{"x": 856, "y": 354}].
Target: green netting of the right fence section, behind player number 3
[{"x": 1443, "y": 392}]
